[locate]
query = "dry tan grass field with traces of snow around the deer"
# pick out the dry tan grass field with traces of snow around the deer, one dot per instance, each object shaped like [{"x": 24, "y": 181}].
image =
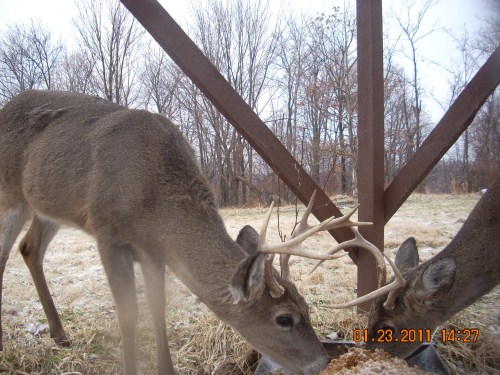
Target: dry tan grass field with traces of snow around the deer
[{"x": 200, "y": 344}]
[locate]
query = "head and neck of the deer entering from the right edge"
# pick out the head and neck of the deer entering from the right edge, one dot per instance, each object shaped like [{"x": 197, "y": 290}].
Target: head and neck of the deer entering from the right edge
[{"x": 437, "y": 289}]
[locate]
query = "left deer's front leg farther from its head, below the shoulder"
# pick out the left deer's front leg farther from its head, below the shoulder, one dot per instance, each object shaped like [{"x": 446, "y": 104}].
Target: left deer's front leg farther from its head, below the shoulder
[{"x": 118, "y": 264}]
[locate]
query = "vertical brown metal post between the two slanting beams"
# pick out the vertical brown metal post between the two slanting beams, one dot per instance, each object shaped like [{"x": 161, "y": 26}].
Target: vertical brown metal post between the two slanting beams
[{"x": 370, "y": 138}]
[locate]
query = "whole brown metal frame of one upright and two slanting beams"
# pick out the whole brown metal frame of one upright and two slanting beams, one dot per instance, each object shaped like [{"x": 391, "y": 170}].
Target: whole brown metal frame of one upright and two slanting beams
[{"x": 377, "y": 205}]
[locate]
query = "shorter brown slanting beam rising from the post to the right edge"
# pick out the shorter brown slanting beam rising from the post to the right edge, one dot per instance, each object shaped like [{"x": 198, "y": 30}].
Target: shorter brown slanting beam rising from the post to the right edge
[{"x": 455, "y": 121}]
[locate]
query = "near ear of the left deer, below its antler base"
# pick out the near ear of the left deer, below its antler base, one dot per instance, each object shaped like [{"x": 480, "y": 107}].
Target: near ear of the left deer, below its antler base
[{"x": 248, "y": 282}]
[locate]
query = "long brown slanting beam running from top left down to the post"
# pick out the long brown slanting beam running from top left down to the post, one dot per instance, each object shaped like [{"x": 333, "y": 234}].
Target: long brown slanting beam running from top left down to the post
[{"x": 214, "y": 86}]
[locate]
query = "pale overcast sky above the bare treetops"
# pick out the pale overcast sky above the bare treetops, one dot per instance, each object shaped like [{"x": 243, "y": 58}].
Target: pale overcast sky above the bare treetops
[{"x": 448, "y": 14}]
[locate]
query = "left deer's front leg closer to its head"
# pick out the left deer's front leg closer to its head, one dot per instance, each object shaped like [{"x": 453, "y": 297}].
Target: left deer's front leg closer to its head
[{"x": 154, "y": 278}]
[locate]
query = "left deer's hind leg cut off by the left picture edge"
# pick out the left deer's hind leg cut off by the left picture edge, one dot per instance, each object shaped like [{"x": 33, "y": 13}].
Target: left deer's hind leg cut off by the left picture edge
[{"x": 11, "y": 223}]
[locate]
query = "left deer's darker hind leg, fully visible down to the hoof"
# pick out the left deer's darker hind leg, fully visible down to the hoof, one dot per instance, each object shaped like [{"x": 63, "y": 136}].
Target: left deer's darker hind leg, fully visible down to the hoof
[{"x": 33, "y": 247}]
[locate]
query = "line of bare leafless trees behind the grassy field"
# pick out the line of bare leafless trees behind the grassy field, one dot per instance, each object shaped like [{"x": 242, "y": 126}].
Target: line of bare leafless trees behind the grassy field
[{"x": 297, "y": 72}]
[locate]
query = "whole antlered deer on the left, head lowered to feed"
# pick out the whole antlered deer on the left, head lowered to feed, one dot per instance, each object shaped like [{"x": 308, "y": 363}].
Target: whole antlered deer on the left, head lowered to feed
[{"x": 129, "y": 178}]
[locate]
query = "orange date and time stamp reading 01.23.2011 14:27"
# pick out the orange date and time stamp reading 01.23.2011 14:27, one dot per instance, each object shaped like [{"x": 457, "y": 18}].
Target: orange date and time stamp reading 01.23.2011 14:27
[{"x": 467, "y": 335}]
